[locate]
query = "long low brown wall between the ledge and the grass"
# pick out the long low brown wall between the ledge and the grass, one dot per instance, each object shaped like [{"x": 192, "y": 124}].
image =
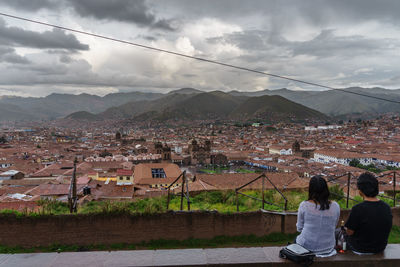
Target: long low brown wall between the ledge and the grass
[{"x": 112, "y": 229}]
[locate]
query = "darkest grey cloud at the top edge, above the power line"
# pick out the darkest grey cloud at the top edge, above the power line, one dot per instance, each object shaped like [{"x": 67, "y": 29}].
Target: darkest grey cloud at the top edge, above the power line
[{"x": 120, "y": 10}]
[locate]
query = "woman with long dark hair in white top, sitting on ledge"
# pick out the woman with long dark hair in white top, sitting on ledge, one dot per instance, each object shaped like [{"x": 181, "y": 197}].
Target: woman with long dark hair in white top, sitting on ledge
[{"x": 317, "y": 219}]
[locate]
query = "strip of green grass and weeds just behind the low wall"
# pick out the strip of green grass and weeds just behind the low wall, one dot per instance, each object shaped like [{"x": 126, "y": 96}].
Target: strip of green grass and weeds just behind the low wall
[{"x": 221, "y": 201}]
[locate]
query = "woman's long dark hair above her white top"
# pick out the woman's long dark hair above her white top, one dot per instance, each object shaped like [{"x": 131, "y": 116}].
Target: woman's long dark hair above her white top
[{"x": 318, "y": 192}]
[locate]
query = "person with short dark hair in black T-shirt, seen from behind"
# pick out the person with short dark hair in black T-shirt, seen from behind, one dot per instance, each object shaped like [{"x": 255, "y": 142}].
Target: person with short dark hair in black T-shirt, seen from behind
[{"x": 370, "y": 222}]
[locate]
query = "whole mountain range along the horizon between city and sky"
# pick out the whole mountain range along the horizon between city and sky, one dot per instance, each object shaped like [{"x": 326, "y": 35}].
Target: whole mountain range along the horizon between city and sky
[{"x": 193, "y": 102}]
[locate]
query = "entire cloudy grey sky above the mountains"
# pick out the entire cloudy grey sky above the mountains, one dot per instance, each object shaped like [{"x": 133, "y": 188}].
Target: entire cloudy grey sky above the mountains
[{"x": 339, "y": 43}]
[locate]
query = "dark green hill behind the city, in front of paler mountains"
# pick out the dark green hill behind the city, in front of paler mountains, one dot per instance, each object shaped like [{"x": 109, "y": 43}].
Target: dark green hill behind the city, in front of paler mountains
[{"x": 213, "y": 105}]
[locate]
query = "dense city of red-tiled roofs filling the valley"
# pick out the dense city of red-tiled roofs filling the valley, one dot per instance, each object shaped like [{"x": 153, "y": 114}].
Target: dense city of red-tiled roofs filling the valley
[{"x": 130, "y": 163}]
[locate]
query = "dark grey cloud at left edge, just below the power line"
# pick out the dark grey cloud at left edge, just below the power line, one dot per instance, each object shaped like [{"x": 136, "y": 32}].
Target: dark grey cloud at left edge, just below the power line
[{"x": 56, "y": 39}]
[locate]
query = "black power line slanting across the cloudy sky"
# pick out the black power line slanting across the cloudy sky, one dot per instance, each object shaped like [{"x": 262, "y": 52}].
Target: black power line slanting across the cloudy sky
[{"x": 196, "y": 58}]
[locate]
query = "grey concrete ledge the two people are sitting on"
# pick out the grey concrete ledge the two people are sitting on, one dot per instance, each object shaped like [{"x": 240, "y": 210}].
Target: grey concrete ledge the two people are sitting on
[{"x": 254, "y": 256}]
